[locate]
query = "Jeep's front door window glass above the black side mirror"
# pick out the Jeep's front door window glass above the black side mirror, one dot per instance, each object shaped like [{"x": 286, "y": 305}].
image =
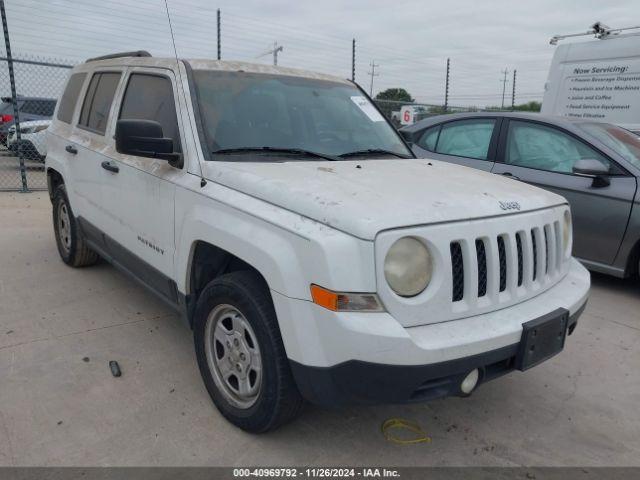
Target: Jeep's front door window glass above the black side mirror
[{"x": 150, "y": 97}]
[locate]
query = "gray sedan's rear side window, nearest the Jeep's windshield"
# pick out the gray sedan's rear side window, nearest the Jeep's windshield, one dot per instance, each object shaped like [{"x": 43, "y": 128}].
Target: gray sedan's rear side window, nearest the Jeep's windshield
[{"x": 471, "y": 142}]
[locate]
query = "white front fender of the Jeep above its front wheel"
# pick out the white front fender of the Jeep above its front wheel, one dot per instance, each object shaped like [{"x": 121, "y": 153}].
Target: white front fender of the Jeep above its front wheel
[{"x": 290, "y": 251}]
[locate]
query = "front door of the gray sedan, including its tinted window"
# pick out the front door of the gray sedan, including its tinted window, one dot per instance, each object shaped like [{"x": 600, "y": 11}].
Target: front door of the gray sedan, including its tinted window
[{"x": 543, "y": 155}]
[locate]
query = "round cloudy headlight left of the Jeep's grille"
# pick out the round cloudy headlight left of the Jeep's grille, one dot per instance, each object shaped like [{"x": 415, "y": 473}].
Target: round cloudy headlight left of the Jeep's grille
[{"x": 408, "y": 267}]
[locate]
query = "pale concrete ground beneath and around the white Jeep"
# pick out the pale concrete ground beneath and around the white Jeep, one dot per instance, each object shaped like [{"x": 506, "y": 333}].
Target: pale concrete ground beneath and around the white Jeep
[{"x": 59, "y": 404}]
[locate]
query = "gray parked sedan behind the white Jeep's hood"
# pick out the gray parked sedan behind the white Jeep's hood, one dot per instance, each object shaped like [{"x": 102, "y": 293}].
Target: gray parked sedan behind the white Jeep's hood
[{"x": 595, "y": 166}]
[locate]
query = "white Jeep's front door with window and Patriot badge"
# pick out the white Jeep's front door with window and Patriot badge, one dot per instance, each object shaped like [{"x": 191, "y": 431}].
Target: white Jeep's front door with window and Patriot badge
[{"x": 140, "y": 191}]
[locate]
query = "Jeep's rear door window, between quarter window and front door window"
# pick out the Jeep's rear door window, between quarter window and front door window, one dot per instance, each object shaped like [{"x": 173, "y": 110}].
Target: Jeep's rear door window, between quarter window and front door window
[{"x": 98, "y": 100}]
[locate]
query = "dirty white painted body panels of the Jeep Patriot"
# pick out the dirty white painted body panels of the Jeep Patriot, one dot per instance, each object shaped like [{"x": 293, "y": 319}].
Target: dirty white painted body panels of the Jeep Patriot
[{"x": 329, "y": 223}]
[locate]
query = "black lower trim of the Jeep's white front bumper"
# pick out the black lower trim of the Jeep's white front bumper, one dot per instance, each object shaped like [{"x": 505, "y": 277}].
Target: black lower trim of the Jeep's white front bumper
[{"x": 357, "y": 382}]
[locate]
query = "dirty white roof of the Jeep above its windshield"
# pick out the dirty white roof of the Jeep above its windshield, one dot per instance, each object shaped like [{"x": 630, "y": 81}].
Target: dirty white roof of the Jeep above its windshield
[{"x": 207, "y": 64}]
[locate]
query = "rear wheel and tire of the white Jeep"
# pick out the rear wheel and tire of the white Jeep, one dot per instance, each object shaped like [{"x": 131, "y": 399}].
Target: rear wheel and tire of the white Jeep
[{"x": 71, "y": 244}]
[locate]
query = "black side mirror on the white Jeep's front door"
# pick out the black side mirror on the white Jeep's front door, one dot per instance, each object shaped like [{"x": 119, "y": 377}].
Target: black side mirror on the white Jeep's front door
[{"x": 144, "y": 138}]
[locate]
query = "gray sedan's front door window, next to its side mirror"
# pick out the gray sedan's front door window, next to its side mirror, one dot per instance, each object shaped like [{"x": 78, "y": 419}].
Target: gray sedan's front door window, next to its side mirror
[{"x": 537, "y": 146}]
